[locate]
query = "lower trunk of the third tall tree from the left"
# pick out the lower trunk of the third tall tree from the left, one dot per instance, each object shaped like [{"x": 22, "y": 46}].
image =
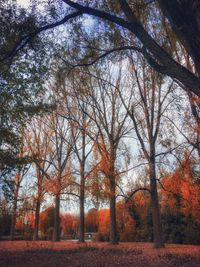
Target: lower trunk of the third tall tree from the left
[{"x": 56, "y": 228}]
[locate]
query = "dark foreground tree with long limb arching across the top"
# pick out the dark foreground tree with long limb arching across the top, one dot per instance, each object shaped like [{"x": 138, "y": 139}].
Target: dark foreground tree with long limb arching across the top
[{"x": 182, "y": 16}]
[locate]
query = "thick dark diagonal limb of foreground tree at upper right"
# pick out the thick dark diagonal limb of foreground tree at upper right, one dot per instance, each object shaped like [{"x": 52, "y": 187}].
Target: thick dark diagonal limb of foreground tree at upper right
[{"x": 157, "y": 57}]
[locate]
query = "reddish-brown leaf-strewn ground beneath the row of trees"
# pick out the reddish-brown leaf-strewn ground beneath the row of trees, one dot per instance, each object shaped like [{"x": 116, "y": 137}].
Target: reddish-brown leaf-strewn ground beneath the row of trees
[{"x": 70, "y": 254}]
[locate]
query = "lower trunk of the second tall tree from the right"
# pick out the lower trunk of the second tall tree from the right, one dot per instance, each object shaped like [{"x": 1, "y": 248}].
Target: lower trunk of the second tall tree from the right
[{"x": 113, "y": 223}]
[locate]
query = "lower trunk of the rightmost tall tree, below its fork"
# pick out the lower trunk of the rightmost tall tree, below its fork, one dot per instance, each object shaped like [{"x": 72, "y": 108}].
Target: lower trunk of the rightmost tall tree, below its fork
[{"x": 157, "y": 226}]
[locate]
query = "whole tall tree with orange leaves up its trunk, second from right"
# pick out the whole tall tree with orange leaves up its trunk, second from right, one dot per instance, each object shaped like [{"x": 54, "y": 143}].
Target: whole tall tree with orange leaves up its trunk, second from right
[{"x": 109, "y": 119}]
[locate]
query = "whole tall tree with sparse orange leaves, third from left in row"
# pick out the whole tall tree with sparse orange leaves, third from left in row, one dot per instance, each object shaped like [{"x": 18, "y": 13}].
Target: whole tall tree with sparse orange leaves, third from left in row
[{"x": 55, "y": 166}]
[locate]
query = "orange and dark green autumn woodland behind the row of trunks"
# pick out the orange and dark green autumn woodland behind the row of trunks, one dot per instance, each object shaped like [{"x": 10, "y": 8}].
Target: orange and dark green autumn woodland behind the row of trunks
[{"x": 179, "y": 214}]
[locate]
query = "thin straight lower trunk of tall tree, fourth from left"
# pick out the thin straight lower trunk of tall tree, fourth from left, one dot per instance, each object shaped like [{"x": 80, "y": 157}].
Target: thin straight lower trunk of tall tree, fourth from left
[{"x": 82, "y": 212}]
